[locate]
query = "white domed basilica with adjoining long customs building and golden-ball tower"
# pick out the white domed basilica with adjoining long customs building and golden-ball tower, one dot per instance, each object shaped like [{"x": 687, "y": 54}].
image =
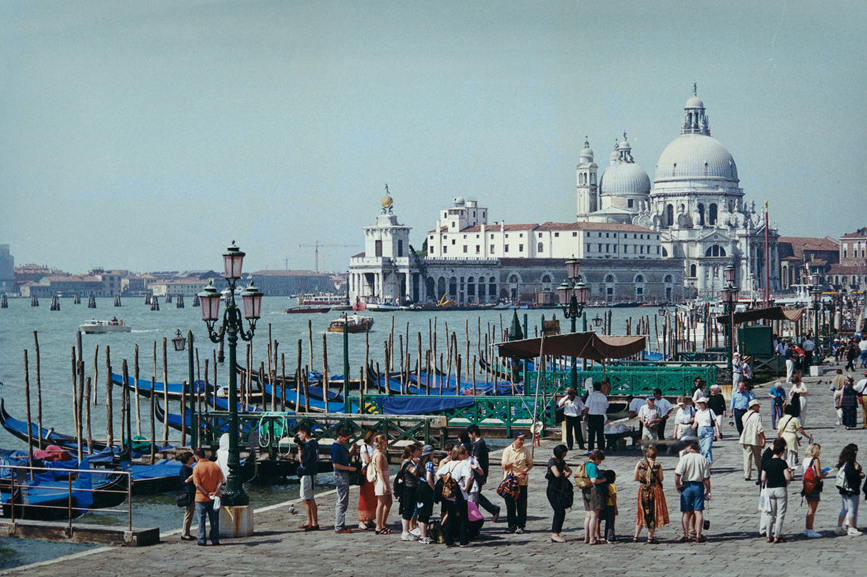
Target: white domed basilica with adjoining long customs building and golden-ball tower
[{"x": 637, "y": 241}]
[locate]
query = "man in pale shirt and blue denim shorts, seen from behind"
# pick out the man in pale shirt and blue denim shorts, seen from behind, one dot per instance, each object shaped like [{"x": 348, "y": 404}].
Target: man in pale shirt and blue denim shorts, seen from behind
[{"x": 692, "y": 481}]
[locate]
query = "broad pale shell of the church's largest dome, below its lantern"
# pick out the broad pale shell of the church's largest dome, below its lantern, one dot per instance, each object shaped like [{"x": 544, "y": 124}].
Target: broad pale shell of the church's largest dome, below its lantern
[{"x": 696, "y": 156}]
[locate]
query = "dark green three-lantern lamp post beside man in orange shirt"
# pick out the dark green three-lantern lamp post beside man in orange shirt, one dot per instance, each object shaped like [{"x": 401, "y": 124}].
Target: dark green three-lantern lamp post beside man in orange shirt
[{"x": 231, "y": 329}]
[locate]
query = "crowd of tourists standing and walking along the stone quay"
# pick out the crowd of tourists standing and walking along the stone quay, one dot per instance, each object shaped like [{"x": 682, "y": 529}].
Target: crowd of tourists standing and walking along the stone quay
[{"x": 456, "y": 478}]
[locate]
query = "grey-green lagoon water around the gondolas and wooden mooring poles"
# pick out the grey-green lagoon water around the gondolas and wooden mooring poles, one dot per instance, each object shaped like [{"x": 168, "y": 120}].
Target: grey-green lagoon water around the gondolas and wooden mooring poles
[{"x": 56, "y": 332}]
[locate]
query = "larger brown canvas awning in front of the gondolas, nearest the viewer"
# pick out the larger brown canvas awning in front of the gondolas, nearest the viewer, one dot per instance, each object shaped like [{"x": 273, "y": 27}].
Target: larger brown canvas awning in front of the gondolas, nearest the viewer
[{"x": 580, "y": 345}]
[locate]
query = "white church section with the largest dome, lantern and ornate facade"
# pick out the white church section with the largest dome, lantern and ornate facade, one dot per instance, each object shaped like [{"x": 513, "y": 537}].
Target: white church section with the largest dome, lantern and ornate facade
[{"x": 697, "y": 205}]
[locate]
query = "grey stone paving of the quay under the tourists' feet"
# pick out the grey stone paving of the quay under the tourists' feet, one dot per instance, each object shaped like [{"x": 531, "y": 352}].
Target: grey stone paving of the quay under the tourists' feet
[{"x": 279, "y": 548}]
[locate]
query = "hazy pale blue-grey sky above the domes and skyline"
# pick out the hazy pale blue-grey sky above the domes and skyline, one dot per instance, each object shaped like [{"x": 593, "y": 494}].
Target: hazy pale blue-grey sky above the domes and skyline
[{"x": 149, "y": 135}]
